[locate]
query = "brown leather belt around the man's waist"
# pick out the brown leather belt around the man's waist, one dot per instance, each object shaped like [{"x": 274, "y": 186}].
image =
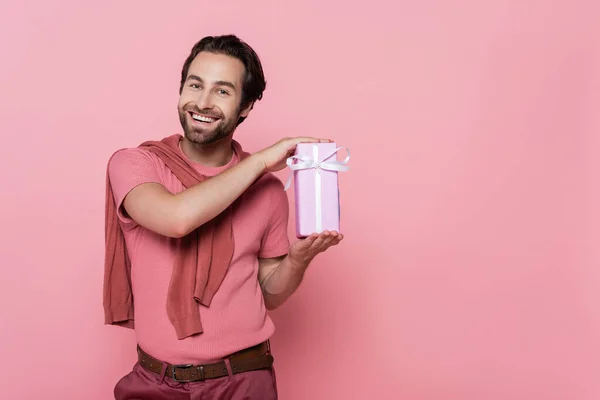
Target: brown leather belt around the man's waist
[{"x": 253, "y": 358}]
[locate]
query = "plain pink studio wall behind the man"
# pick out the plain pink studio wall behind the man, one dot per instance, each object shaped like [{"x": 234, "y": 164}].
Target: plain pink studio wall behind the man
[{"x": 470, "y": 267}]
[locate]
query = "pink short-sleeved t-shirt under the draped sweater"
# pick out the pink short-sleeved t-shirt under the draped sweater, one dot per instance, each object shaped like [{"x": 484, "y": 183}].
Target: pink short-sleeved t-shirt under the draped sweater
[{"x": 237, "y": 317}]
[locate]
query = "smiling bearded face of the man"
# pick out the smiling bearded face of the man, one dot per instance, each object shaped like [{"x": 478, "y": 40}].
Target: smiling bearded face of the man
[{"x": 209, "y": 104}]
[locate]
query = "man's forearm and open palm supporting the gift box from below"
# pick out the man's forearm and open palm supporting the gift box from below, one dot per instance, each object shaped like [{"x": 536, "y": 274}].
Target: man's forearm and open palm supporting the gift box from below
[{"x": 280, "y": 277}]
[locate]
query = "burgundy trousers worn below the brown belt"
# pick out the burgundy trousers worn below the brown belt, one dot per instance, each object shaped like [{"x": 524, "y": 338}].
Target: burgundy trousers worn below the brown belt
[{"x": 141, "y": 384}]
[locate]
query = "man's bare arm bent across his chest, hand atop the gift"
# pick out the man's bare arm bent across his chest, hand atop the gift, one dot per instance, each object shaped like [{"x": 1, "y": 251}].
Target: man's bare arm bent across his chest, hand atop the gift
[{"x": 152, "y": 206}]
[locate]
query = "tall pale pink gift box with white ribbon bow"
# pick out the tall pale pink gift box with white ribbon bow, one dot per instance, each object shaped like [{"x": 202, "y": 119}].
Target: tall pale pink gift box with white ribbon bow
[{"x": 317, "y": 199}]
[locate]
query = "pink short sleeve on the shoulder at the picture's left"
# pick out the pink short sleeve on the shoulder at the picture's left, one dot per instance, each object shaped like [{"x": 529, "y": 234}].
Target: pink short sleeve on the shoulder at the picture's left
[{"x": 127, "y": 169}]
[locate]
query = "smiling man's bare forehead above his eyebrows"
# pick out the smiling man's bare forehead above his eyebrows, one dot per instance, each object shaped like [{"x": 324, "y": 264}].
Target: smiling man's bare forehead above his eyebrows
[{"x": 213, "y": 67}]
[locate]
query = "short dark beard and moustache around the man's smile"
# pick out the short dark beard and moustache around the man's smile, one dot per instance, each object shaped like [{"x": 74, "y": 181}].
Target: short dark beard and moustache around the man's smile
[{"x": 216, "y": 131}]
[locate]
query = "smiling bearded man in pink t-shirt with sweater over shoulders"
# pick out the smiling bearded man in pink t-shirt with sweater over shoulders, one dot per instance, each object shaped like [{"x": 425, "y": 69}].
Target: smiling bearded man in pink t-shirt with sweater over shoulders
[{"x": 197, "y": 234}]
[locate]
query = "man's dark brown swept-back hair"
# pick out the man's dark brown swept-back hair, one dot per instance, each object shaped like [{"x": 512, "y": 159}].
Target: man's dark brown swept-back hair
[{"x": 254, "y": 80}]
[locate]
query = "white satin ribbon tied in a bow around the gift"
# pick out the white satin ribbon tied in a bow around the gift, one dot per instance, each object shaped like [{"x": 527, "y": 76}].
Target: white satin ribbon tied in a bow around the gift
[{"x": 308, "y": 162}]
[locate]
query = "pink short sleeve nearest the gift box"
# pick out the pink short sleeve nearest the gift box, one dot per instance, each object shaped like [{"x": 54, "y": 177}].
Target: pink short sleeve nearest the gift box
[{"x": 275, "y": 241}]
